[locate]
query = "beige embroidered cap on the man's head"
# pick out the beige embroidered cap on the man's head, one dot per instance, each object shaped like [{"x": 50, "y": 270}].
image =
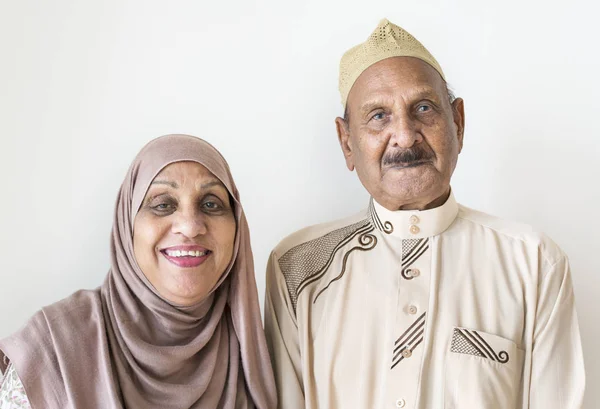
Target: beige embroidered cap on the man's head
[{"x": 388, "y": 40}]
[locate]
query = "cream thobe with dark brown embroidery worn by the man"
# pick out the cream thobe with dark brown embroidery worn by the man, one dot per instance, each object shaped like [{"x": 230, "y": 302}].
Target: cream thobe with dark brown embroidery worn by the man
[{"x": 443, "y": 308}]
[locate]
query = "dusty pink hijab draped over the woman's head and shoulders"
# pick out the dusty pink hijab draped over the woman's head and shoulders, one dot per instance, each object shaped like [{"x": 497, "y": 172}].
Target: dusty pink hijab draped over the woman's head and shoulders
[{"x": 124, "y": 346}]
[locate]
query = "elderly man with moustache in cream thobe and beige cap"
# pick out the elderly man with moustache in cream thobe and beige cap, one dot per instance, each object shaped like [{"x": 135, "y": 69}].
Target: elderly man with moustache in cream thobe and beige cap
[{"x": 417, "y": 302}]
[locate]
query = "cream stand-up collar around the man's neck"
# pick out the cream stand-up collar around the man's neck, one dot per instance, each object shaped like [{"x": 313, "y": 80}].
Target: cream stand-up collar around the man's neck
[{"x": 414, "y": 224}]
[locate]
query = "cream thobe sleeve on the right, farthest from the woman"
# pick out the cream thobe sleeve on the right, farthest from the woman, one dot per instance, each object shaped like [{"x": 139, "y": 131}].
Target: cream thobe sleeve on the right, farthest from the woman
[{"x": 557, "y": 371}]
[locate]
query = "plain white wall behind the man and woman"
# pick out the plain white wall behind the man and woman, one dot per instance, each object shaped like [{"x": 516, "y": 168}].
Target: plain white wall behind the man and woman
[{"x": 84, "y": 85}]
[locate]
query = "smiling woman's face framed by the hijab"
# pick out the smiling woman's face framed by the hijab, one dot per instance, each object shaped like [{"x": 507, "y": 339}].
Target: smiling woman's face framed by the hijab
[{"x": 184, "y": 232}]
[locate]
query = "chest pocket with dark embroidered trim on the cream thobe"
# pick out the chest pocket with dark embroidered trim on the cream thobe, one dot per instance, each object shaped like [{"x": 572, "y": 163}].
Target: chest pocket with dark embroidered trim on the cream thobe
[{"x": 483, "y": 371}]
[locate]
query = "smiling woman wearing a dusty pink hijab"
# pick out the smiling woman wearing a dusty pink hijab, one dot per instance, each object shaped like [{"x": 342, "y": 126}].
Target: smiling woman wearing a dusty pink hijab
[{"x": 176, "y": 323}]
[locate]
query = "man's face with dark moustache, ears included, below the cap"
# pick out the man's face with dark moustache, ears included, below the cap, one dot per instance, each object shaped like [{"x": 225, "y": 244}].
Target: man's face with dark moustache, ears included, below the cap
[{"x": 402, "y": 134}]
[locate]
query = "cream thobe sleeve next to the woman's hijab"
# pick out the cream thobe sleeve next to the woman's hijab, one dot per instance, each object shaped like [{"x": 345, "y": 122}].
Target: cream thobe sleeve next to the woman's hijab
[{"x": 283, "y": 339}]
